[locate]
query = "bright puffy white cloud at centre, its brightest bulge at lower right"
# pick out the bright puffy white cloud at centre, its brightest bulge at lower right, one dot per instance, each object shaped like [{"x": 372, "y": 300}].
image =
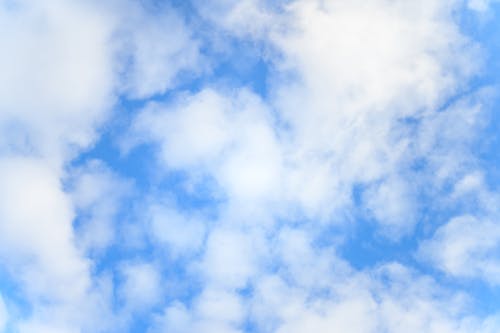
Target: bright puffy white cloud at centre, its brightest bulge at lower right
[{"x": 226, "y": 137}]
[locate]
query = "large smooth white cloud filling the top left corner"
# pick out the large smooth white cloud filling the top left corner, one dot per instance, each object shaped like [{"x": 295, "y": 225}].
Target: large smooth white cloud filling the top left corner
[{"x": 57, "y": 76}]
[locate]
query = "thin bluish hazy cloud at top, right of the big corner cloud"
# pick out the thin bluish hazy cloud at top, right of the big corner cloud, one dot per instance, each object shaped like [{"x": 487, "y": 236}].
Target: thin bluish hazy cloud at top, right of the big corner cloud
[{"x": 156, "y": 47}]
